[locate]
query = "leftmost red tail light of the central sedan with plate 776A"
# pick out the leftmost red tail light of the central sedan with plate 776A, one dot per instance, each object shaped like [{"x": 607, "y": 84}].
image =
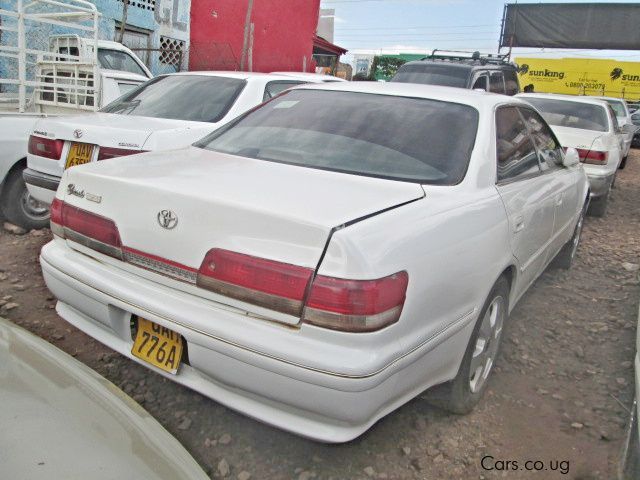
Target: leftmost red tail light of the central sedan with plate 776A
[{"x": 88, "y": 229}]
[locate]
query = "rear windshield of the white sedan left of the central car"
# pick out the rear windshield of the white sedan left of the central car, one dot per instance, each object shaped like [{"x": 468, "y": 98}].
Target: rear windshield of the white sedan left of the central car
[{"x": 197, "y": 98}]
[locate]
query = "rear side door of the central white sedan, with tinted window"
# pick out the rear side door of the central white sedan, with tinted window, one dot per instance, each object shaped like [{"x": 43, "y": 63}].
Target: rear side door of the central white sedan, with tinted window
[{"x": 526, "y": 193}]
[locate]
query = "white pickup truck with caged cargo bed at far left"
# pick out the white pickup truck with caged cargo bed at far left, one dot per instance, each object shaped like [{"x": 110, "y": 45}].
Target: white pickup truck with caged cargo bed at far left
[{"x": 67, "y": 75}]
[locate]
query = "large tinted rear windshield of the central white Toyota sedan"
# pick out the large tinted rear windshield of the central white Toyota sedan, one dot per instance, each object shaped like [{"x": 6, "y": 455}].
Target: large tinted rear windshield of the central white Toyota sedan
[{"x": 409, "y": 139}]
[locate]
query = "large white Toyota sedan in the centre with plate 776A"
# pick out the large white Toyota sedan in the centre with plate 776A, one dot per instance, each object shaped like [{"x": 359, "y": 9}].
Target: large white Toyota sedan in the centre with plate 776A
[{"x": 325, "y": 258}]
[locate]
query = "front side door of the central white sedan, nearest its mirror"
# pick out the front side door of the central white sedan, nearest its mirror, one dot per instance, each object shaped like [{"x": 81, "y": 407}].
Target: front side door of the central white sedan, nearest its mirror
[{"x": 563, "y": 182}]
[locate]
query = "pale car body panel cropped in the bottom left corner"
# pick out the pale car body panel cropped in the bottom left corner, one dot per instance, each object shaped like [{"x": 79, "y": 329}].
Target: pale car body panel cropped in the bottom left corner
[{"x": 61, "y": 420}]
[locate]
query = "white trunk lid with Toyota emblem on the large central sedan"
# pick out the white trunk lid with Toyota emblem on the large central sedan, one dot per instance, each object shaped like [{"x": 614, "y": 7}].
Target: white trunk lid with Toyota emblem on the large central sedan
[{"x": 266, "y": 209}]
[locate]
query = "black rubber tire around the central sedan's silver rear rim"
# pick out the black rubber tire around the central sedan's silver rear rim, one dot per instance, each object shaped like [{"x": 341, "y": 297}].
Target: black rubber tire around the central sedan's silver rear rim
[{"x": 461, "y": 395}]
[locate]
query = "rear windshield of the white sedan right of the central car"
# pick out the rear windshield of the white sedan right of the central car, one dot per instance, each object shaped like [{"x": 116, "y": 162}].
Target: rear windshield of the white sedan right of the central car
[{"x": 563, "y": 113}]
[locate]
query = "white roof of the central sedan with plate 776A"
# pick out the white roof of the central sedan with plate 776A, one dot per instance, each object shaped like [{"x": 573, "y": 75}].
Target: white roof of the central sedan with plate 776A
[{"x": 474, "y": 98}]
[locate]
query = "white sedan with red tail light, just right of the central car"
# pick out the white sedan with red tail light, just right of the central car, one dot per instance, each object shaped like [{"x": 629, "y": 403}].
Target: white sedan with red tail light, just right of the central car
[{"x": 589, "y": 125}]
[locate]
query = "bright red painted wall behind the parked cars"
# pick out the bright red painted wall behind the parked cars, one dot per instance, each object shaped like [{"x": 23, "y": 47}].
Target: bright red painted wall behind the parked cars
[{"x": 283, "y": 34}]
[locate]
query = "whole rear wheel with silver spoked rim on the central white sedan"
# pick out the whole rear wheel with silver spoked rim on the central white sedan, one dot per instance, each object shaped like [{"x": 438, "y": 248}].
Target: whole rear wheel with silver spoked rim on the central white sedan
[{"x": 462, "y": 393}]
